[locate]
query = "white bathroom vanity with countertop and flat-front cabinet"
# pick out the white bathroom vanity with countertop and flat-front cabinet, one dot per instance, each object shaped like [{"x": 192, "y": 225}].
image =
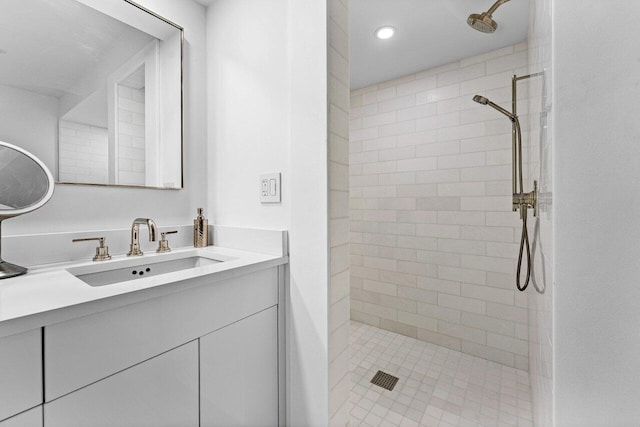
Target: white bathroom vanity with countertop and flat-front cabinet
[{"x": 201, "y": 346}]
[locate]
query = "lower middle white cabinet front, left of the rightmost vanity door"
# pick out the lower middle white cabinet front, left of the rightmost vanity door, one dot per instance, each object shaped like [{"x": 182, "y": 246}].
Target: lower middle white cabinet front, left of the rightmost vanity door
[{"x": 162, "y": 391}]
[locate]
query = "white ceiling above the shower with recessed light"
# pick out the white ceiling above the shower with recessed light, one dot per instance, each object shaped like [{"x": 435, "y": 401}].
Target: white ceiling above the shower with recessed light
[{"x": 429, "y": 33}]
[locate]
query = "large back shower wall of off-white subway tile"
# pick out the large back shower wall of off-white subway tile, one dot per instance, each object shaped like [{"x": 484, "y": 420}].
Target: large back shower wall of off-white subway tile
[{"x": 433, "y": 239}]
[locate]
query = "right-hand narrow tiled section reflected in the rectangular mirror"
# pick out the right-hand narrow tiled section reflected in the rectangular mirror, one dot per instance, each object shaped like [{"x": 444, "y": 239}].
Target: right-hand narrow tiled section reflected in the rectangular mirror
[{"x": 131, "y": 136}]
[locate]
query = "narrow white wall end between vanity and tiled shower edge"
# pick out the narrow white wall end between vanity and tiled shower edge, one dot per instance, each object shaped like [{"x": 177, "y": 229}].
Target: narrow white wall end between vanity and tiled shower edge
[{"x": 309, "y": 231}]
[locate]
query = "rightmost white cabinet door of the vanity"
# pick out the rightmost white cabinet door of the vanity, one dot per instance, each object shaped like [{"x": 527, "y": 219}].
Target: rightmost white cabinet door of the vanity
[{"x": 239, "y": 373}]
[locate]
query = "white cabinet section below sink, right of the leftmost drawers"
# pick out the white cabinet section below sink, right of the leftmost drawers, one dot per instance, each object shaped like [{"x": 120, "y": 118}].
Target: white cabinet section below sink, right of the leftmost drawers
[{"x": 206, "y": 355}]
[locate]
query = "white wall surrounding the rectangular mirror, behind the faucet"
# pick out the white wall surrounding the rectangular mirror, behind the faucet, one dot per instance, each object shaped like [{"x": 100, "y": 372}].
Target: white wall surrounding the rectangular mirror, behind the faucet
[{"x": 75, "y": 208}]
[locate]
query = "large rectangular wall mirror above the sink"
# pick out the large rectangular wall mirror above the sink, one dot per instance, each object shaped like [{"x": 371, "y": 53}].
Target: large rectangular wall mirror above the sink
[{"x": 106, "y": 78}]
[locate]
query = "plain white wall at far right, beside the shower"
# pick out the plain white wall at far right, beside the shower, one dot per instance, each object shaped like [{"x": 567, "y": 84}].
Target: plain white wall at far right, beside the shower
[{"x": 596, "y": 205}]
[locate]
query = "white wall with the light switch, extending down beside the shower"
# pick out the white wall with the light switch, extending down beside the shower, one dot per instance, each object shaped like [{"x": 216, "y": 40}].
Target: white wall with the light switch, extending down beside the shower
[{"x": 267, "y": 100}]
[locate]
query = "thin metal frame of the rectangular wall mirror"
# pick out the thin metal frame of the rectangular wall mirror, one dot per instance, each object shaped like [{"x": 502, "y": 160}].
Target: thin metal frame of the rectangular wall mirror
[{"x": 181, "y": 29}]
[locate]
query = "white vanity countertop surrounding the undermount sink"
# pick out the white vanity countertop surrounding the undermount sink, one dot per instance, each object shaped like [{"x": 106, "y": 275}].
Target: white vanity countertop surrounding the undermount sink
[{"x": 50, "y": 294}]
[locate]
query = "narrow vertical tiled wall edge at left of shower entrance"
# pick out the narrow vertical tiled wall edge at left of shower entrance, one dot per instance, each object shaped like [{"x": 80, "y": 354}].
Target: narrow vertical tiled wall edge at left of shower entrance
[{"x": 338, "y": 94}]
